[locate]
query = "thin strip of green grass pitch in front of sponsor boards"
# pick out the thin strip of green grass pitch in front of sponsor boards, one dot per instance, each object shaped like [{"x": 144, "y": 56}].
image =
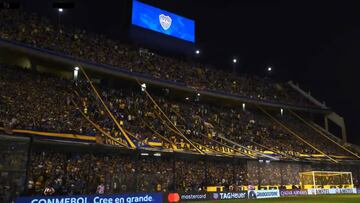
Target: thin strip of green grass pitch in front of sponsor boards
[{"x": 301, "y": 199}]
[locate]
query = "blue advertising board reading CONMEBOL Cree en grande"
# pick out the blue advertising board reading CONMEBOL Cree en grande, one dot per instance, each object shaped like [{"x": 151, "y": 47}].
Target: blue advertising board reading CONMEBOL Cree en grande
[{"x": 119, "y": 198}]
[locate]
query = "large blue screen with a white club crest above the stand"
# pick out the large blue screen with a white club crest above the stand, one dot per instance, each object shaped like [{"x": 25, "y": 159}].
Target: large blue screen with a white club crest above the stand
[{"x": 158, "y": 20}]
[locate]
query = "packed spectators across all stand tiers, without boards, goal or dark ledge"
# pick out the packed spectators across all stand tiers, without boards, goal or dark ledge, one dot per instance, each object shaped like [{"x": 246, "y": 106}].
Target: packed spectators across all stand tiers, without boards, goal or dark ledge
[{"x": 201, "y": 142}]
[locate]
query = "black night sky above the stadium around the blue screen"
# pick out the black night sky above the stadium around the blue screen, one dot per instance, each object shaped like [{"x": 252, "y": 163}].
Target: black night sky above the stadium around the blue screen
[{"x": 314, "y": 43}]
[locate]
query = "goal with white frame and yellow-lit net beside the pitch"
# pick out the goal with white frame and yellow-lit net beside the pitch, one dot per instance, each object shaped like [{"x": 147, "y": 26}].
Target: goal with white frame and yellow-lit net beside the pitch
[{"x": 325, "y": 180}]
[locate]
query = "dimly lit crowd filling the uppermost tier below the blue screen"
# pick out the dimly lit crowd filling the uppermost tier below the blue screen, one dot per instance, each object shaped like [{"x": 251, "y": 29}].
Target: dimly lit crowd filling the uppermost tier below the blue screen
[{"x": 36, "y": 31}]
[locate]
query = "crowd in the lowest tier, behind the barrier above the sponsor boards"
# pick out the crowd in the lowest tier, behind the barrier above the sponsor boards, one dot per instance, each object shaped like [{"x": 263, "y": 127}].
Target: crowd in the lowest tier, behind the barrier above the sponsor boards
[{"x": 56, "y": 173}]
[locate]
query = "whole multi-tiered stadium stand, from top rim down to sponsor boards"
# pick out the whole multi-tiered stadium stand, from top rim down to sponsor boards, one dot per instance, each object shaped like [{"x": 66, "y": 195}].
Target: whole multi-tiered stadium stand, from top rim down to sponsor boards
[{"x": 86, "y": 118}]
